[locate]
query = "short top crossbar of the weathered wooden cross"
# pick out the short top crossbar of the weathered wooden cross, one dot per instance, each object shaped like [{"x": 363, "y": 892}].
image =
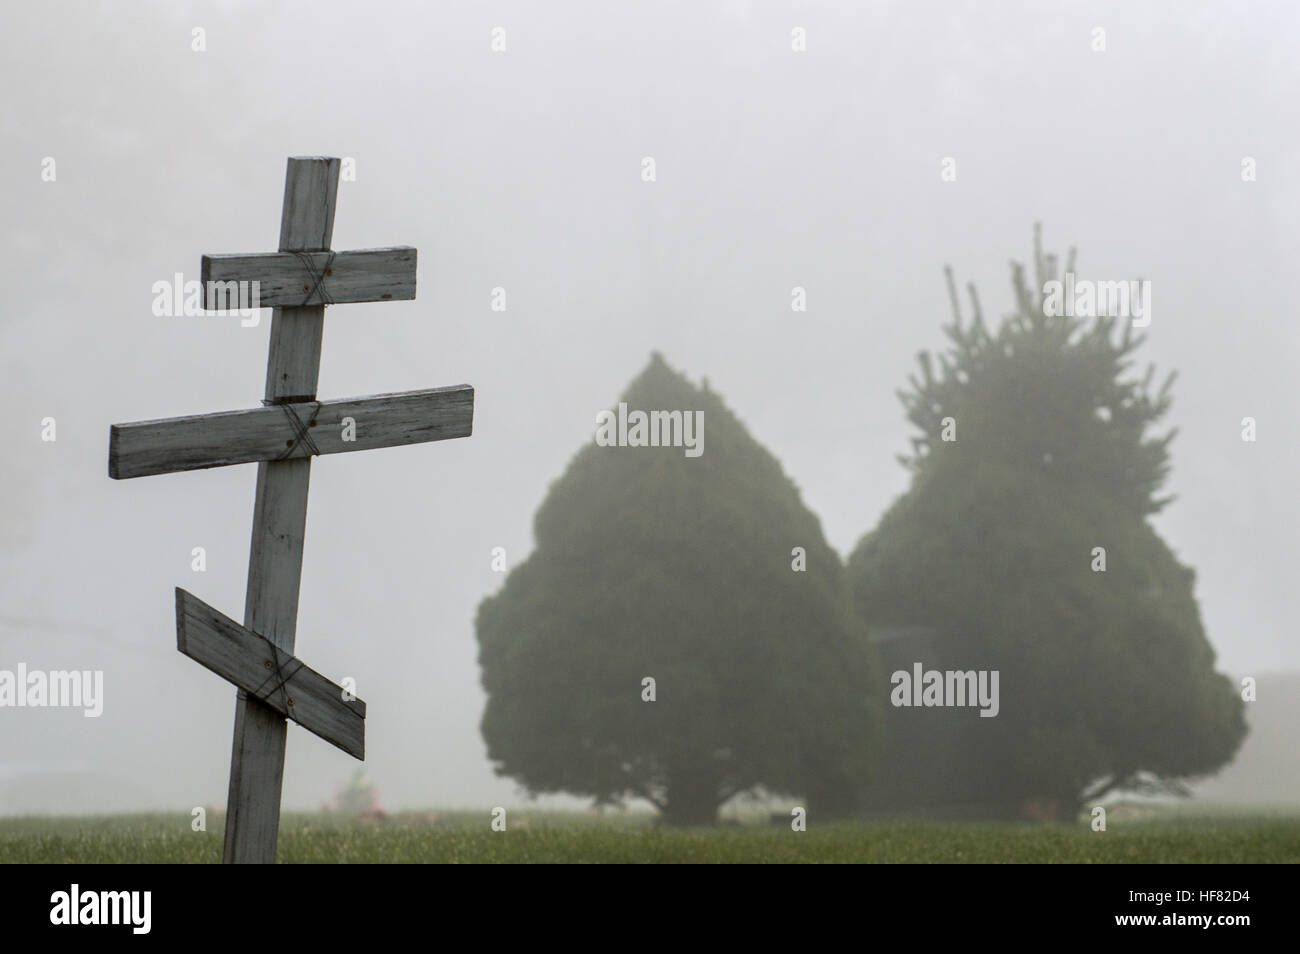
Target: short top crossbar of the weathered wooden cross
[{"x": 305, "y": 279}]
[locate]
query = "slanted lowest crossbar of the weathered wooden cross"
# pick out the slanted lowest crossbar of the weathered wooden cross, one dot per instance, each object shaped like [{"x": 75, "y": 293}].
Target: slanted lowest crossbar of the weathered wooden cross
[{"x": 266, "y": 673}]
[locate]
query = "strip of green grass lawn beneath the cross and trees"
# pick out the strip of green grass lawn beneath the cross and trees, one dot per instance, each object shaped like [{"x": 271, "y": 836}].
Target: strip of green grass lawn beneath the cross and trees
[{"x": 1149, "y": 836}]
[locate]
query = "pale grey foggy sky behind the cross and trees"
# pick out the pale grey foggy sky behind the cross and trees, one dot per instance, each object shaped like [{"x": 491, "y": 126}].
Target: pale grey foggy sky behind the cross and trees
[{"x": 523, "y": 170}]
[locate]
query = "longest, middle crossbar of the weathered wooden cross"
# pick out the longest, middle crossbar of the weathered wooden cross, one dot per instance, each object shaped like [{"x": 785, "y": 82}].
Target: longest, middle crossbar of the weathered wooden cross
[{"x": 171, "y": 445}]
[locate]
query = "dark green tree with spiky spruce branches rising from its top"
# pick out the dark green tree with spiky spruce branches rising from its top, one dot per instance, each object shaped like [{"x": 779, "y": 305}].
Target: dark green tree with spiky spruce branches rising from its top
[{"x": 1107, "y": 678}]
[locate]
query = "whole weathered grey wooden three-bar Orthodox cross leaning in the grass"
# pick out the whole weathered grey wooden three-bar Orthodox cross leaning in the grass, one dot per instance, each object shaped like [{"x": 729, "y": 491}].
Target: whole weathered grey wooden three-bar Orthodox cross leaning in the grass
[{"x": 258, "y": 657}]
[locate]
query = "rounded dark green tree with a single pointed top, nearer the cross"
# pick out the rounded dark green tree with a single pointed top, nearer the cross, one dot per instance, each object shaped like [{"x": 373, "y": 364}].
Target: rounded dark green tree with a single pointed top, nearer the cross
[{"x": 651, "y": 563}]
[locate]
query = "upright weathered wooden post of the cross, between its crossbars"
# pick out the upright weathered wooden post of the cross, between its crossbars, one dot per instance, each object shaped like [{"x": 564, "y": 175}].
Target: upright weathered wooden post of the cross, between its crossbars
[{"x": 280, "y": 522}]
